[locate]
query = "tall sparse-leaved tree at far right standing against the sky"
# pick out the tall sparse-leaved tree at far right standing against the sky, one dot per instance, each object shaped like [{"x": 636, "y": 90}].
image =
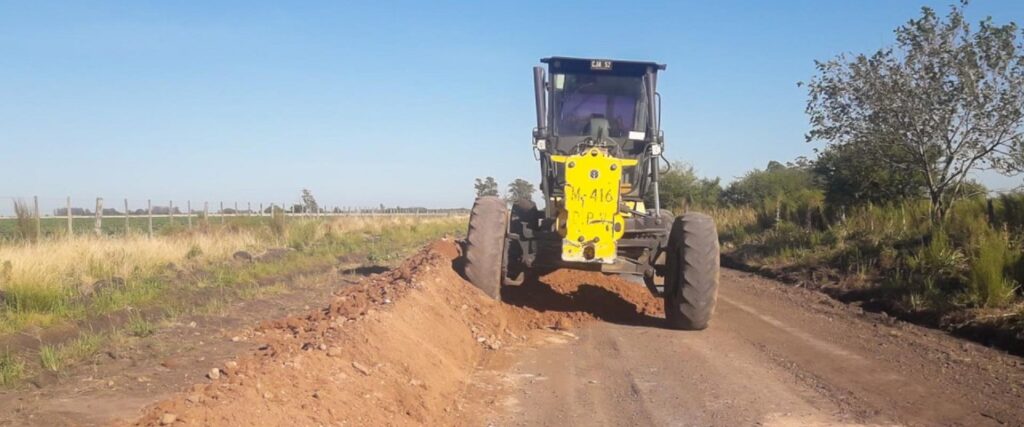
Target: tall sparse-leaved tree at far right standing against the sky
[{"x": 947, "y": 101}]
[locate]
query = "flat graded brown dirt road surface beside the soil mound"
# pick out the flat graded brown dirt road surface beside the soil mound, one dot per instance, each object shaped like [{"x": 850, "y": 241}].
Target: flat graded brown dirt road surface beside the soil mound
[{"x": 775, "y": 356}]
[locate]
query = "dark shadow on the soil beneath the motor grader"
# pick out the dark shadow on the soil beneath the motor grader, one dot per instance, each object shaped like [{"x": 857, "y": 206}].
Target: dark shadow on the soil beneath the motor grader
[{"x": 601, "y": 303}]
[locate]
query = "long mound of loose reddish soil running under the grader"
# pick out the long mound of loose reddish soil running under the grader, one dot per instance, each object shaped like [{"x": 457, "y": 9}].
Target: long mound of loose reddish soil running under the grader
[{"x": 396, "y": 350}]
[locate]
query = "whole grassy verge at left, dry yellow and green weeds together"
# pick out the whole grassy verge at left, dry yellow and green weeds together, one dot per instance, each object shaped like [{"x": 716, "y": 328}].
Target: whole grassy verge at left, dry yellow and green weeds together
[{"x": 73, "y": 279}]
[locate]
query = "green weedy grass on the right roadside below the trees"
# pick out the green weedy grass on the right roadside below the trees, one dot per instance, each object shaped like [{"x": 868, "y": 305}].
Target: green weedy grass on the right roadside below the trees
[{"x": 970, "y": 261}]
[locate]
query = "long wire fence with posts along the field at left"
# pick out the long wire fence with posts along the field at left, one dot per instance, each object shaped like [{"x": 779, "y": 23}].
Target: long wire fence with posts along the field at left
[{"x": 49, "y": 217}]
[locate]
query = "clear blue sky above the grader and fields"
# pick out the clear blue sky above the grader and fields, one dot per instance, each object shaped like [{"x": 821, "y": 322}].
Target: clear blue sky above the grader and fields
[{"x": 394, "y": 103}]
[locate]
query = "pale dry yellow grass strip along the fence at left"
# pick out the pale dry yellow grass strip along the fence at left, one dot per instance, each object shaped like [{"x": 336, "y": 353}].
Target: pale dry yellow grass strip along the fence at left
[{"x": 46, "y": 282}]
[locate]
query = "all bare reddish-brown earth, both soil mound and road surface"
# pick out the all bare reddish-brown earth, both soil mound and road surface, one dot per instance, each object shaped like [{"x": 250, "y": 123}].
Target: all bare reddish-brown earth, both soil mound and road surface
[{"x": 420, "y": 347}]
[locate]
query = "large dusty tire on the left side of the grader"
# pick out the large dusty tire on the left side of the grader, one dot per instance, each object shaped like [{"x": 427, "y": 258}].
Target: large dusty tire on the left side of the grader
[{"x": 485, "y": 248}]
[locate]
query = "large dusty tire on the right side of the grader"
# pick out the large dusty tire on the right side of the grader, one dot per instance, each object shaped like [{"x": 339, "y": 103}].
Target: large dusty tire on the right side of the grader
[{"x": 692, "y": 273}]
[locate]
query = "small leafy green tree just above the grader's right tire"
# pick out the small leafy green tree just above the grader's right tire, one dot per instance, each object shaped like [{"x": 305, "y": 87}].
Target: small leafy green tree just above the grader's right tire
[{"x": 681, "y": 188}]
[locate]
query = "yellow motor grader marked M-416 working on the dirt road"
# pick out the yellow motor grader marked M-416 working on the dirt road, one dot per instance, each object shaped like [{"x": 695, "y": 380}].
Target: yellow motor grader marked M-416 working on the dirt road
[{"x": 600, "y": 143}]
